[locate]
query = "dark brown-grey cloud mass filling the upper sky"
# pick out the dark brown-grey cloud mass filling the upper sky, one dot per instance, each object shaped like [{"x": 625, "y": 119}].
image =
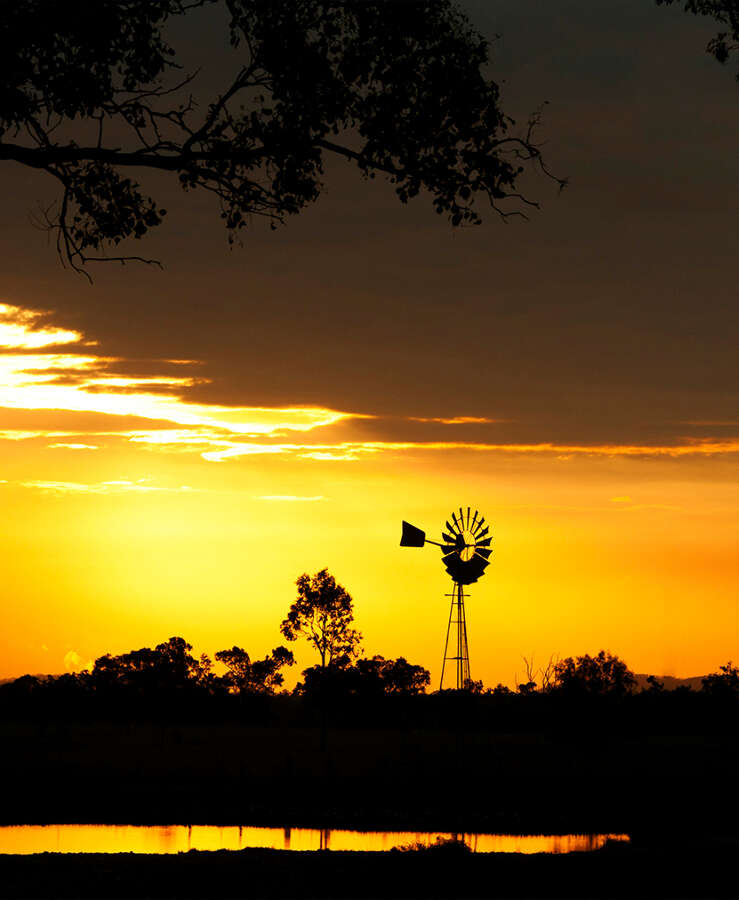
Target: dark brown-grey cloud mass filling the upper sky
[{"x": 610, "y": 317}]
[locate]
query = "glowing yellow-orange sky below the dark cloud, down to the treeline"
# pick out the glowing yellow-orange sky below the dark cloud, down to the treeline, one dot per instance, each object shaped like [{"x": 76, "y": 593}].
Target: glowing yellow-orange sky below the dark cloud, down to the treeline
[{"x": 137, "y": 514}]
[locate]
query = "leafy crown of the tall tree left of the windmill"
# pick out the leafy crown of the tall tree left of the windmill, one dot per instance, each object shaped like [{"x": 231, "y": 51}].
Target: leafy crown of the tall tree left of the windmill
[{"x": 323, "y": 613}]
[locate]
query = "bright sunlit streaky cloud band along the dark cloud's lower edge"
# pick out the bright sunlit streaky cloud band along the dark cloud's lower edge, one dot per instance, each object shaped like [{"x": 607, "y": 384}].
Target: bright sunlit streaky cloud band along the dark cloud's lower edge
[{"x": 148, "y": 404}]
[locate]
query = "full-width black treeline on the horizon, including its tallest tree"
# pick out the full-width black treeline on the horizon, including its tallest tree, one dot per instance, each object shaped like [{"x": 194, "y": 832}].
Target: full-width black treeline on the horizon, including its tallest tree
[{"x": 169, "y": 683}]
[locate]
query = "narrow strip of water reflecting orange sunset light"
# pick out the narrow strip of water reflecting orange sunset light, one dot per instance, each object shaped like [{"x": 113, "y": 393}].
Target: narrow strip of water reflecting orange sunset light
[{"x": 24, "y": 839}]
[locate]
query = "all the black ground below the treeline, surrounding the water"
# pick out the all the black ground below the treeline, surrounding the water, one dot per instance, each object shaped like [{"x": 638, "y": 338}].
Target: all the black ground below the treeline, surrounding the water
[{"x": 676, "y": 795}]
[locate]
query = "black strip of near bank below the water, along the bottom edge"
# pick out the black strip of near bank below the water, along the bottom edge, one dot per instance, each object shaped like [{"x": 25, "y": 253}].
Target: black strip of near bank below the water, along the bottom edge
[{"x": 614, "y": 872}]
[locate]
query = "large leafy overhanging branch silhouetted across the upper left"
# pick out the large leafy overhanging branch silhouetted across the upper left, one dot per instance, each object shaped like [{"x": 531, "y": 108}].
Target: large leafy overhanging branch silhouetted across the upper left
[{"x": 93, "y": 90}]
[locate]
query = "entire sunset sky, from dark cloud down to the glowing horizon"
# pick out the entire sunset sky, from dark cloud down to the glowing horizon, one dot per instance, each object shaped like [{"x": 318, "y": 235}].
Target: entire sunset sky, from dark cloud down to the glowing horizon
[{"x": 177, "y": 446}]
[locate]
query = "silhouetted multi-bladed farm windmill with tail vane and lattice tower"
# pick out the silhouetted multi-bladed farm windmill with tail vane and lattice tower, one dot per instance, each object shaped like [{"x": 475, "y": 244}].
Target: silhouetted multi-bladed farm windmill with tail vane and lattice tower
[{"x": 465, "y": 552}]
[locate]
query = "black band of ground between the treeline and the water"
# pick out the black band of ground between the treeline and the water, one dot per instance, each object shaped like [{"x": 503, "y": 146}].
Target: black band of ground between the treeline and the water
[{"x": 372, "y": 779}]
